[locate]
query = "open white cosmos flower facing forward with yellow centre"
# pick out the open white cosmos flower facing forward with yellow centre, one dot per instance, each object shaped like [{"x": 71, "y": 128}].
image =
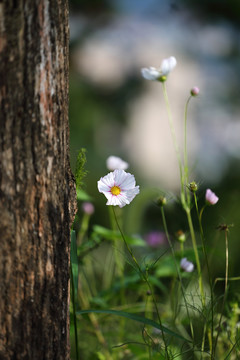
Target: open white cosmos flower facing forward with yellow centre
[{"x": 119, "y": 187}]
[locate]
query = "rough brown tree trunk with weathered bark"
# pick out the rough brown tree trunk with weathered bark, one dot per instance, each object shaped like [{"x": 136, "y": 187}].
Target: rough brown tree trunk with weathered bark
[{"x": 37, "y": 192}]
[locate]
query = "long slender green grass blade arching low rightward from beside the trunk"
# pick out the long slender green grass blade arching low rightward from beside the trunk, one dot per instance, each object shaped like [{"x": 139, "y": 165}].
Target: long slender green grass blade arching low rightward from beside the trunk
[{"x": 134, "y": 317}]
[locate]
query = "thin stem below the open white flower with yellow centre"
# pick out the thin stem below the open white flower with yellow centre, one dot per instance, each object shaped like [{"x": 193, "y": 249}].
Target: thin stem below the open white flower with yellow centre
[{"x": 144, "y": 278}]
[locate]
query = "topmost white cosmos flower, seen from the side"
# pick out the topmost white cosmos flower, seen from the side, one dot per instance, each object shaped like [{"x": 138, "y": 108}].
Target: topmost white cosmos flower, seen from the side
[{"x": 161, "y": 73}]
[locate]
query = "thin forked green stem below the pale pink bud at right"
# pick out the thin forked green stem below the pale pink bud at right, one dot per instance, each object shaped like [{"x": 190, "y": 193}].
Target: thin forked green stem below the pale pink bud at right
[{"x": 207, "y": 264}]
